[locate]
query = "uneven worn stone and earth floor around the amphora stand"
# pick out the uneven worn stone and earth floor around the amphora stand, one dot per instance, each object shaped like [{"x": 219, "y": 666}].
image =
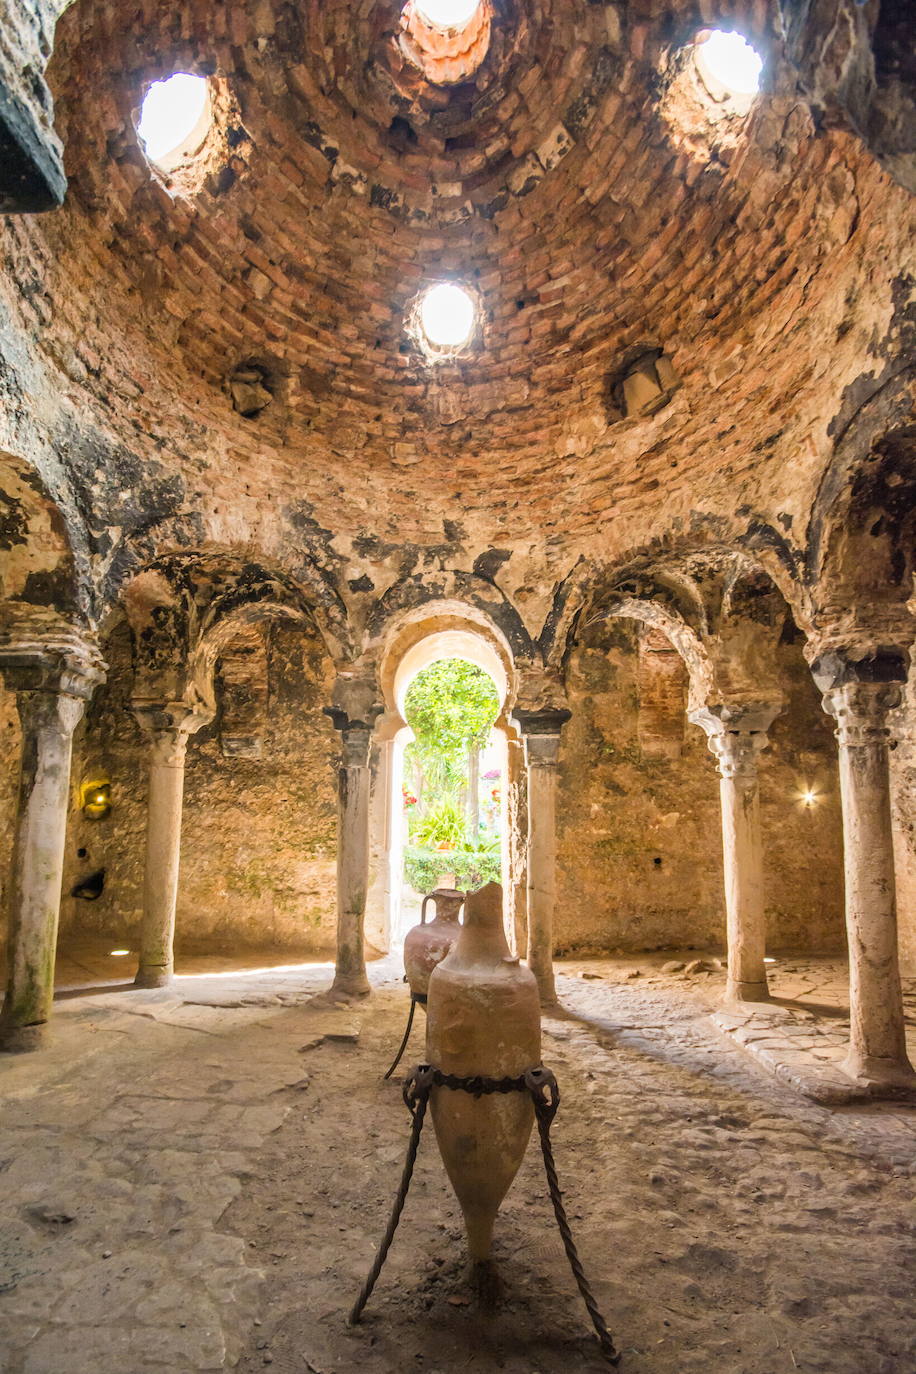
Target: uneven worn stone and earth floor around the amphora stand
[{"x": 197, "y": 1180}]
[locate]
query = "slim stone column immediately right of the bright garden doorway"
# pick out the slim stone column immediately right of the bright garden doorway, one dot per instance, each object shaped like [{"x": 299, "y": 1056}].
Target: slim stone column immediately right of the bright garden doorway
[{"x": 542, "y": 736}]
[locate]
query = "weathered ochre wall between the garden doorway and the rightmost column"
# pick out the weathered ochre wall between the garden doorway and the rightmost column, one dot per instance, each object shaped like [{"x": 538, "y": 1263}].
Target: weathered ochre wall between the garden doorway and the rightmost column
[{"x": 621, "y": 810}]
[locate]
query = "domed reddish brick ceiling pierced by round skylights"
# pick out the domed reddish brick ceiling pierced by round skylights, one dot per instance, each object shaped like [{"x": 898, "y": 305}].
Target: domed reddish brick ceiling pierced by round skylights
[{"x": 594, "y": 199}]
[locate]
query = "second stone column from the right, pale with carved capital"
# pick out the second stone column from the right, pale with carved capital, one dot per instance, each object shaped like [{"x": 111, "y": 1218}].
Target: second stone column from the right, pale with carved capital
[{"x": 737, "y": 737}]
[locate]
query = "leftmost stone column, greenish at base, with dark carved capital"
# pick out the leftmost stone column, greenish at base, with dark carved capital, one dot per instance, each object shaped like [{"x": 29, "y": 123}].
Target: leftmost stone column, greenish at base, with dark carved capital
[{"x": 53, "y": 688}]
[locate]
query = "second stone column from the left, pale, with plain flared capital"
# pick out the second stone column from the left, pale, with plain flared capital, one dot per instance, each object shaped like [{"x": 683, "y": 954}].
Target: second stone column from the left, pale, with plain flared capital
[{"x": 170, "y": 728}]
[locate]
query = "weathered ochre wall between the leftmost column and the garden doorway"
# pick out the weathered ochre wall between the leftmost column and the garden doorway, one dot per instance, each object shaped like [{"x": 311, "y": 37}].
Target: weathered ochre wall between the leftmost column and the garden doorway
[{"x": 259, "y": 835}]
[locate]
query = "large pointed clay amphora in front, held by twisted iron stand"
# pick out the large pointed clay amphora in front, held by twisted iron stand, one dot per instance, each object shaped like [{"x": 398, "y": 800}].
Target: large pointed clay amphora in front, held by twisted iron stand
[{"x": 484, "y": 1019}]
